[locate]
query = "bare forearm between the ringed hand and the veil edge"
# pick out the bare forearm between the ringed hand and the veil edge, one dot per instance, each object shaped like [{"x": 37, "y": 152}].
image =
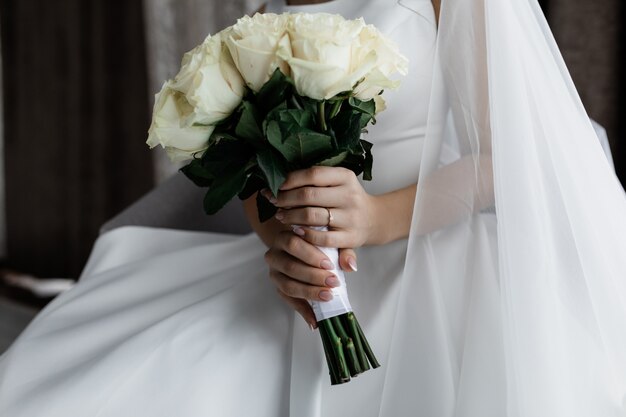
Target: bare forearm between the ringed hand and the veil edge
[{"x": 393, "y": 212}]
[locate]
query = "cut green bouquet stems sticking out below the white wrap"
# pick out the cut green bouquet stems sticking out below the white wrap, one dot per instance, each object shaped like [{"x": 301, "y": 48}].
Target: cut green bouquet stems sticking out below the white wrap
[{"x": 347, "y": 351}]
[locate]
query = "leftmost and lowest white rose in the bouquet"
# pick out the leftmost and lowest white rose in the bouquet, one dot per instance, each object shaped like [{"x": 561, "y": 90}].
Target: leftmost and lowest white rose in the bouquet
[{"x": 171, "y": 129}]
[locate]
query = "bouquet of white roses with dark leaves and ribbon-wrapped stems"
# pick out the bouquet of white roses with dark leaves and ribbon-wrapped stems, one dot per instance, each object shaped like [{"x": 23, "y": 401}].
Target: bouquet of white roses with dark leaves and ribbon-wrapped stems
[{"x": 270, "y": 95}]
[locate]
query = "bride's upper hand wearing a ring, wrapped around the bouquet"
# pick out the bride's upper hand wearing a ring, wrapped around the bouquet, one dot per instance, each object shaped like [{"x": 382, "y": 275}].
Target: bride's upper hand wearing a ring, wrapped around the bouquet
[{"x": 309, "y": 196}]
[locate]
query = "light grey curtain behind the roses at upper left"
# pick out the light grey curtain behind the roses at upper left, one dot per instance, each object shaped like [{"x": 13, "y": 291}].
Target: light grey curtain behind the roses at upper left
[{"x": 172, "y": 28}]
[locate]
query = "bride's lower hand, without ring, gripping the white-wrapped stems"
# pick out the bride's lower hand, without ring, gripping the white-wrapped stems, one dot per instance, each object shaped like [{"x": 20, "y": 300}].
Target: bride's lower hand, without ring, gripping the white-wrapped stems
[{"x": 301, "y": 272}]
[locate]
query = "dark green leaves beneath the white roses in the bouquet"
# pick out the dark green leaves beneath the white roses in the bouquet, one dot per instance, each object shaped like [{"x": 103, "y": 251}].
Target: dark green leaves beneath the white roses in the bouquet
[{"x": 274, "y": 132}]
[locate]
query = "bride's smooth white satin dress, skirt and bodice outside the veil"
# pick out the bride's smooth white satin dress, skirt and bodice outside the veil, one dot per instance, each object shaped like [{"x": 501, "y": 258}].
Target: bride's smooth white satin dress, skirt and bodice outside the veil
[{"x": 166, "y": 322}]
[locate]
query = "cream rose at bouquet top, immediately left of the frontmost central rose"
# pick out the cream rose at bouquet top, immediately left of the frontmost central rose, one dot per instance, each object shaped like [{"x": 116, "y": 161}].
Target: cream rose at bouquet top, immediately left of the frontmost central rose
[{"x": 253, "y": 43}]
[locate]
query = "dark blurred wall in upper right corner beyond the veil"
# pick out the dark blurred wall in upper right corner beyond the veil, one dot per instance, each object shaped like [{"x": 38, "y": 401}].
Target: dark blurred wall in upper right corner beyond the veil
[{"x": 591, "y": 36}]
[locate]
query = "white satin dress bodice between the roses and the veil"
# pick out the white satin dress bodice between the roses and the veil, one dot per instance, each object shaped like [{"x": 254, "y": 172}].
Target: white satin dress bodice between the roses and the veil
[{"x": 399, "y": 132}]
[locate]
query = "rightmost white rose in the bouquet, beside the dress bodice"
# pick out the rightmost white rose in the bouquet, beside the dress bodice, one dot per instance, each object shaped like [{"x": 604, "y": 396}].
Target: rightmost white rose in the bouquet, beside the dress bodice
[{"x": 389, "y": 61}]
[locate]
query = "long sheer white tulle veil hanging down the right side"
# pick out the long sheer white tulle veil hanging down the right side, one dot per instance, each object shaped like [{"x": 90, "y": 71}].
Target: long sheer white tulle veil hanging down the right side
[{"x": 513, "y": 293}]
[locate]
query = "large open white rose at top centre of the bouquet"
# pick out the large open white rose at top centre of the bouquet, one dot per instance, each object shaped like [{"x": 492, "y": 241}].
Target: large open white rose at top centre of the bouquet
[{"x": 323, "y": 61}]
